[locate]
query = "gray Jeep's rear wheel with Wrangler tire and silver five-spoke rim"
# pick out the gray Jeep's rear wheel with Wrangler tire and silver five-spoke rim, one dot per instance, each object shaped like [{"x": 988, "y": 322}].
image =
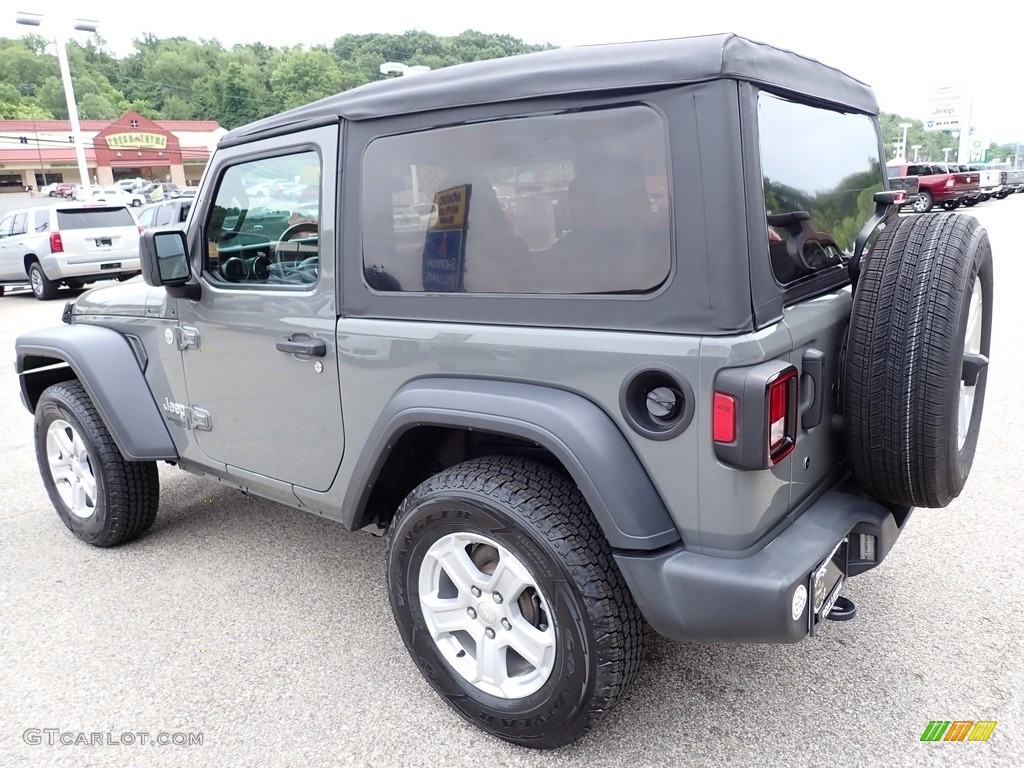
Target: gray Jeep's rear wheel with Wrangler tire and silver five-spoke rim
[{"x": 577, "y": 600}]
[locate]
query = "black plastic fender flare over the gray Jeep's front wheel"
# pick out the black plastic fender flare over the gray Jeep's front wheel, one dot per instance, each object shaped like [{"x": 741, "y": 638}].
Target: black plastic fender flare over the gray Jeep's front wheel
[{"x": 103, "y": 360}]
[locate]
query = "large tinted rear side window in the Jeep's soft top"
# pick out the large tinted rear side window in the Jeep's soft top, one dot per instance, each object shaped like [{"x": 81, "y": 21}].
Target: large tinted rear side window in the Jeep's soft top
[{"x": 560, "y": 204}]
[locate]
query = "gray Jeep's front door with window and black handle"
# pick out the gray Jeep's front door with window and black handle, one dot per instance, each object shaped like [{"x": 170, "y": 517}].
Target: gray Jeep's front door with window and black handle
[{"x": 260, "y": 344}]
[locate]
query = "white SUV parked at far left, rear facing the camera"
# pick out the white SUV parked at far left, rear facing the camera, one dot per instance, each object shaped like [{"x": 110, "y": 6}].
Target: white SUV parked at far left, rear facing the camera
[{"x": 69, "y": 244}]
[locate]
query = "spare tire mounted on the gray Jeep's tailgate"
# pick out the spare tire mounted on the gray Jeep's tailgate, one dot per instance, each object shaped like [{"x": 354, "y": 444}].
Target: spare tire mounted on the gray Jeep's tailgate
[{"x": 918, "y": 359}]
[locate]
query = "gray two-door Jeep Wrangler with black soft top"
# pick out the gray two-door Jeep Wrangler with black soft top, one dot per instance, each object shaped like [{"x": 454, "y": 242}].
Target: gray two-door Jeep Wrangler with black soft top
[{"x": 604, "y": 339}]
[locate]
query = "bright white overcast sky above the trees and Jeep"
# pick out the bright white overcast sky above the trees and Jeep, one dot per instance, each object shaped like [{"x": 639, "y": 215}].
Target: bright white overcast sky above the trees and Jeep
[{"x": 870, "y": 41}]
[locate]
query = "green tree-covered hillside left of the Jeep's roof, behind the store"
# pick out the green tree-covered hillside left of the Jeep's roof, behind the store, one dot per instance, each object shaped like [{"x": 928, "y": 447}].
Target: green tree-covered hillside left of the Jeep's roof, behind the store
[{"x": 179, "y": 78}]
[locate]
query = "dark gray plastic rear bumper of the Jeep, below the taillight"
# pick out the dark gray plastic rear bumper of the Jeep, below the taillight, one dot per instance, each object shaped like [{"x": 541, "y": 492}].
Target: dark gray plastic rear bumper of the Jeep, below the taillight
[{"x": 688, "y": 596}]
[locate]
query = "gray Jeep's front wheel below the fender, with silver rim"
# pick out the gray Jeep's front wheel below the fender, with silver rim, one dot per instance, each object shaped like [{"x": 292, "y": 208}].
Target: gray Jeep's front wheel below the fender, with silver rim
[{"x": 126, "y": 494}]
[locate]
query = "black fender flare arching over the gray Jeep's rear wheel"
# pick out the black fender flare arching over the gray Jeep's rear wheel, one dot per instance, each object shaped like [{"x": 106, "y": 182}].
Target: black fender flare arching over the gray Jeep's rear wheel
[{"x": 573, "y": 429}]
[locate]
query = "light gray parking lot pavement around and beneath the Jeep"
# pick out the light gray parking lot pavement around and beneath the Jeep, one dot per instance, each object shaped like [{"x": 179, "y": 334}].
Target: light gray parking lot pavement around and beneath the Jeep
[{"x": 268, "y": 631}]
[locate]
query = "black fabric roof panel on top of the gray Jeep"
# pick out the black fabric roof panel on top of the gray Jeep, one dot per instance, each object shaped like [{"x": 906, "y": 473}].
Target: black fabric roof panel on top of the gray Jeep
[{"x": 619, "y": 67}]
